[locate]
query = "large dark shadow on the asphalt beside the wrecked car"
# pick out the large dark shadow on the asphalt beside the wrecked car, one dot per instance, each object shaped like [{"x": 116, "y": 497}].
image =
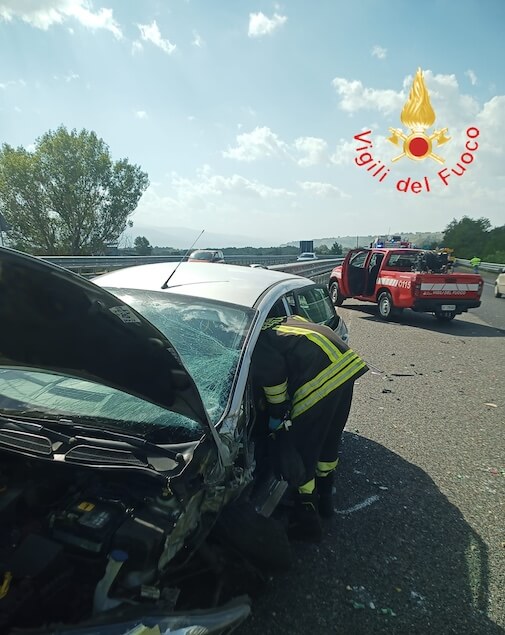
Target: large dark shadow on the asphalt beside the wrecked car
[{"x": 399, "y": 558}]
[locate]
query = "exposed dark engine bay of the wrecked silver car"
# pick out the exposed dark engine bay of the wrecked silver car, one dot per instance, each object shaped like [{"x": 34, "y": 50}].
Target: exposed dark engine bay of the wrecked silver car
[{"x": 75, "y": 542}]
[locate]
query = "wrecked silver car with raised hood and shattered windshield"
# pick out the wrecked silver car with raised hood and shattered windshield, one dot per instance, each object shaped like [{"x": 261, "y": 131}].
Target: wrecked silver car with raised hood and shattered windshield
[{"x": 135, "y": 496}]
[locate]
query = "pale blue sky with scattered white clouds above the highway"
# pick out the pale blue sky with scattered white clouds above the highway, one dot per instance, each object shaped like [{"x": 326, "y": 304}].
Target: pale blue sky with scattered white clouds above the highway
[{"x": 243, "y": 113}]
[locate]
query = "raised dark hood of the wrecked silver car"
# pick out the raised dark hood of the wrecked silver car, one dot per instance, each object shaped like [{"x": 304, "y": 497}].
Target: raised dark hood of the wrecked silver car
[{"x": 52, "y": 319}]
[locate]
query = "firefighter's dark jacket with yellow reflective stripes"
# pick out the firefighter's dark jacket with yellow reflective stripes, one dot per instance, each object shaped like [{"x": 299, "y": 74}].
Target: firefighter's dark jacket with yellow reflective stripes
[{"x": 299, "y": 363}]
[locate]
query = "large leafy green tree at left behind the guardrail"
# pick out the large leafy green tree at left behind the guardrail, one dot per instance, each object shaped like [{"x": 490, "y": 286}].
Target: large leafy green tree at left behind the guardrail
[{"x": 67, "y": 196}]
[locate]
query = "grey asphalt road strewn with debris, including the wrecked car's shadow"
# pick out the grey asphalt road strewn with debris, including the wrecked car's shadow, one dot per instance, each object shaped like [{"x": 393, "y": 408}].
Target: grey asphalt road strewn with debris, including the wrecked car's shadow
[{"x": 418, "y": 542}]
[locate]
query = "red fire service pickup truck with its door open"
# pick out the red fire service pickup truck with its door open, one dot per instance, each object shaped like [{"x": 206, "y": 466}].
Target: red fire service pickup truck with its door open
[{"x": 397, "y": 279}]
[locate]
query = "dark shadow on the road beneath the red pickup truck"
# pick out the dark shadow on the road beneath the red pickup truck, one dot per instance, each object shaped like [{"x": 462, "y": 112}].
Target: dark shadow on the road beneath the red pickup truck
[{"x": 427, "y": 322}]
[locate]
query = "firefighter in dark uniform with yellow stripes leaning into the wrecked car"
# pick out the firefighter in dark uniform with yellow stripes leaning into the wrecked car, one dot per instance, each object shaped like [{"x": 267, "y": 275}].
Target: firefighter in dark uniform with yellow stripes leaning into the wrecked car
[{"x": 307, "y": 375}]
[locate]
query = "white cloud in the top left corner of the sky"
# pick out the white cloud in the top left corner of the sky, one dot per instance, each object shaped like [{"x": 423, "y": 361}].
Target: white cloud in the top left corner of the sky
[{"x": 43, "y": 14}]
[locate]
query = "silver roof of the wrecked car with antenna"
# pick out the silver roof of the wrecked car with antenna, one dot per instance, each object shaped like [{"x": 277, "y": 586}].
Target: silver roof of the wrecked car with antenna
[{"x": 228, "y": 283}]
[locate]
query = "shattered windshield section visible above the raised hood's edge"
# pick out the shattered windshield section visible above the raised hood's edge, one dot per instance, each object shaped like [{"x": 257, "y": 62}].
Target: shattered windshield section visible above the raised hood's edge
[{"x": 208, "y": 335}]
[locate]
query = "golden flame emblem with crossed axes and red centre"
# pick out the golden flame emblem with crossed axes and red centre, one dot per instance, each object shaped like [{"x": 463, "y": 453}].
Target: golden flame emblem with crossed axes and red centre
[{"x": 418, "y": 115}]
